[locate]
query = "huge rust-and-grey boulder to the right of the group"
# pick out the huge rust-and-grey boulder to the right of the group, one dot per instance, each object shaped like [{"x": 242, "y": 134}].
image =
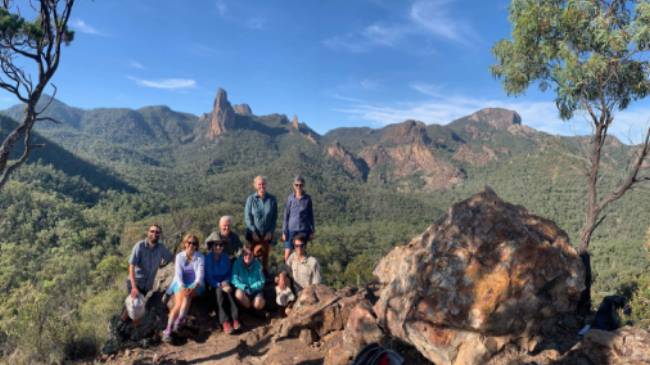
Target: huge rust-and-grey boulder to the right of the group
[{"x": 486, "y": 274}]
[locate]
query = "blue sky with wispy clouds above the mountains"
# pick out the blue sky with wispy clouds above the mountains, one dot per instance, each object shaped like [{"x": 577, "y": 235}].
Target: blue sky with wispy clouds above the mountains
[{"x": 333, "y": 63}]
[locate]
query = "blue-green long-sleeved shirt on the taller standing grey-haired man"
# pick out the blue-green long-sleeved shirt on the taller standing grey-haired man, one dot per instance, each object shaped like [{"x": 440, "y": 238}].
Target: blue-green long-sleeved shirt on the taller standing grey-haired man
[{"x": 261, "y": 215}]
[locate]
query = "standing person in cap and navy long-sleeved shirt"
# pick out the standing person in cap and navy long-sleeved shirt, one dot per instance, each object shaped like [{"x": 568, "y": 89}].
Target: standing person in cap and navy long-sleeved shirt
[{"x": 298, "y": 216}]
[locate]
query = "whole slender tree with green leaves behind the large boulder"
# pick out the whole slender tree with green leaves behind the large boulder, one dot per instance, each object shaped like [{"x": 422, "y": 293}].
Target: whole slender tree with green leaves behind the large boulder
[{"x": 593, "y": 53}]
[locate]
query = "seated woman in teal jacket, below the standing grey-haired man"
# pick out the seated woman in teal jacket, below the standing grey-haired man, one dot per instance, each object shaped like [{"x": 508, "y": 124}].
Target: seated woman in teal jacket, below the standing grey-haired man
[{"x": 249, "y": 280}]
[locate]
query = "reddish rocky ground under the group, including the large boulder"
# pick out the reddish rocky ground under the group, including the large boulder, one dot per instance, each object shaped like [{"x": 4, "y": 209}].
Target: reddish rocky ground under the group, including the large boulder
[{"x": 489, "y": 283}]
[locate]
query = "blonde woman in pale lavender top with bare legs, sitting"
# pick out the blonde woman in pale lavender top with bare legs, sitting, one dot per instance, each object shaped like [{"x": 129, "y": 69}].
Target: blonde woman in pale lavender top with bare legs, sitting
[{"x": 187, "y": 283}]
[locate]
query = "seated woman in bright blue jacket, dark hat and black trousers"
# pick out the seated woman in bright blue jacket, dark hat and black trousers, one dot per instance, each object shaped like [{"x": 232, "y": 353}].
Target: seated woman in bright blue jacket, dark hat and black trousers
[{"x": 217, "y": 278}]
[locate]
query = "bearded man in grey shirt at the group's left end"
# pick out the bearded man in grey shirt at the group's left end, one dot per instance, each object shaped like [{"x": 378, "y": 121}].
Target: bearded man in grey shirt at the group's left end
[{"x": 145, "y": 259}]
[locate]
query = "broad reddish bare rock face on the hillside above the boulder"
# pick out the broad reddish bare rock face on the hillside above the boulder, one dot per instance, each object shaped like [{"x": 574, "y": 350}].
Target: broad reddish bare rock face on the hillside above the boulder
[{"x": 410, "y": 159}]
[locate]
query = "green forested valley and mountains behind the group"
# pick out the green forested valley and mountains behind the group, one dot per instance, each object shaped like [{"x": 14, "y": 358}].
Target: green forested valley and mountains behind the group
[{"x": 70, "y": 217}]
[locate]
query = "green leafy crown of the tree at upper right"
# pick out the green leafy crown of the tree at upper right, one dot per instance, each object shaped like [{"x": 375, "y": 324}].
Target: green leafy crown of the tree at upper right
[{"x": 590, "y": 52}]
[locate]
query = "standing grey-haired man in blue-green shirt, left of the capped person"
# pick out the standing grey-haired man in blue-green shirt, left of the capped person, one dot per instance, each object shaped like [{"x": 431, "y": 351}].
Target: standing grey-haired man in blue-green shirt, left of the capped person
[{"x": 260, "y": 217}]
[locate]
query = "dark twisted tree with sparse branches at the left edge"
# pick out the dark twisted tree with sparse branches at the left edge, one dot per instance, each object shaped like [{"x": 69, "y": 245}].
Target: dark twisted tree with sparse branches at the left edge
[{"x": 29, "y": 46}]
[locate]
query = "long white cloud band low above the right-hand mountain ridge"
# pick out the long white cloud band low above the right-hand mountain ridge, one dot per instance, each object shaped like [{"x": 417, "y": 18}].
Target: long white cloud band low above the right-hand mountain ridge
[{"x": 629, "y": 125}]
